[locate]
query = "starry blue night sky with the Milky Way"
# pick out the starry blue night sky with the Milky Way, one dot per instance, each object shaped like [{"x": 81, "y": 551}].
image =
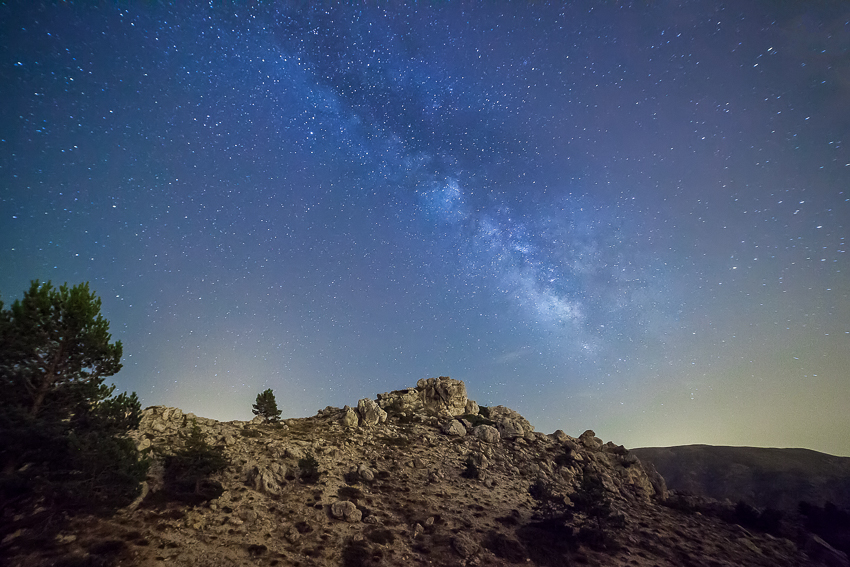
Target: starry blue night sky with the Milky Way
[{"x": 630, "y": 217}]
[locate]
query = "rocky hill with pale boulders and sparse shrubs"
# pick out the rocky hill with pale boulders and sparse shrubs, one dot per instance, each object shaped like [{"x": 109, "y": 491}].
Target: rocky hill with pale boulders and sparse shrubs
[{"x": 418, "y": 476}]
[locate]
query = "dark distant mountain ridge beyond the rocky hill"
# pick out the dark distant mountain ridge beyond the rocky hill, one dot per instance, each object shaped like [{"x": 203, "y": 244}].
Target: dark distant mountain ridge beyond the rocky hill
[{"x": 763, "y": 477}]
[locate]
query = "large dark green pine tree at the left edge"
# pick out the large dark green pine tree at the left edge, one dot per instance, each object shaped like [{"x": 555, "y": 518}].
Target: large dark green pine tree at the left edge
[{"x": 62, "y": 432}]
